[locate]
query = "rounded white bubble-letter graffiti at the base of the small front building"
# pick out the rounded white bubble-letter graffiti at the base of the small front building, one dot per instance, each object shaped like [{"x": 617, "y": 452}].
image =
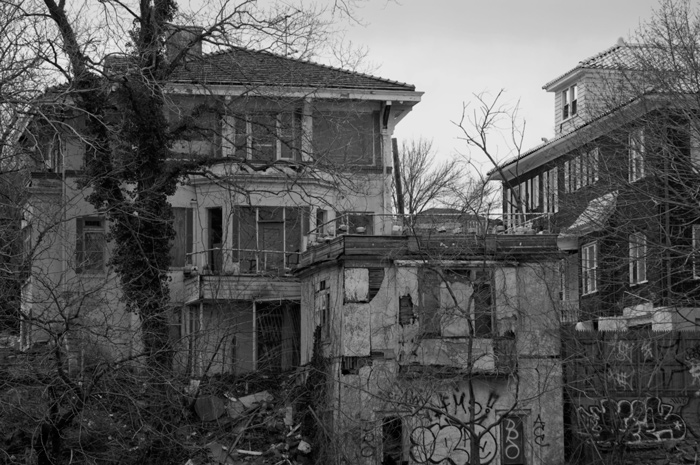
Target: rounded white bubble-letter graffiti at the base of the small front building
[{"x": 450, "y": 444}]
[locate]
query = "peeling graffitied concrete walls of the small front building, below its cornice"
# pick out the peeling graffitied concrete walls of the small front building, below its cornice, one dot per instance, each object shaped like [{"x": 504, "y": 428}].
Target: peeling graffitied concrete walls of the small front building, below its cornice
[{"x": 383, "y": 369}]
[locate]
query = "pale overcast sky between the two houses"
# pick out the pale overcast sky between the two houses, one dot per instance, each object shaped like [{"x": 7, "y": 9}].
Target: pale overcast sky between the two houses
[{"x": 453, "y": 49}]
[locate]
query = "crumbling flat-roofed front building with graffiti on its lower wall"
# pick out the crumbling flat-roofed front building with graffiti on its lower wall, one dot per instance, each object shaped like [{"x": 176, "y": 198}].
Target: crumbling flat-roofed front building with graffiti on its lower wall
[{"x": 415, "y": 327}]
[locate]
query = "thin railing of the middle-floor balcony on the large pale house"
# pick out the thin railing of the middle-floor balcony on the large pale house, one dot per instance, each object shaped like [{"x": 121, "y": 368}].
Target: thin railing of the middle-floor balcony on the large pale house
[{"x": 219, "y": 260}]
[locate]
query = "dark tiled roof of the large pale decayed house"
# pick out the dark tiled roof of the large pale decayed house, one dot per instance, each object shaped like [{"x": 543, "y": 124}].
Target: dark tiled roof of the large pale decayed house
[{"x": 240, "y": 66}]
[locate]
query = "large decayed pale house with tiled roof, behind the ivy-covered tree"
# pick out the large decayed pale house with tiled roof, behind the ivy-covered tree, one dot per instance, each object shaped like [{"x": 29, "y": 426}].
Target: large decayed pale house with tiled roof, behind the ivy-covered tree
[{"x": 288, "y": 146}]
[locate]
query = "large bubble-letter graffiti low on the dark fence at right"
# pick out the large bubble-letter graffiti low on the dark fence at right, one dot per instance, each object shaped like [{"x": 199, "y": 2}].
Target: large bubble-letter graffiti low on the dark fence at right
[{"x": 634, "y": 422}]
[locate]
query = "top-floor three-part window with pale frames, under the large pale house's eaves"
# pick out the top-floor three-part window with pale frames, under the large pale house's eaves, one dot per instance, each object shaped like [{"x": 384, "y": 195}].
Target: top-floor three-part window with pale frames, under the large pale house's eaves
[{"x": 265, "y": 136}]
